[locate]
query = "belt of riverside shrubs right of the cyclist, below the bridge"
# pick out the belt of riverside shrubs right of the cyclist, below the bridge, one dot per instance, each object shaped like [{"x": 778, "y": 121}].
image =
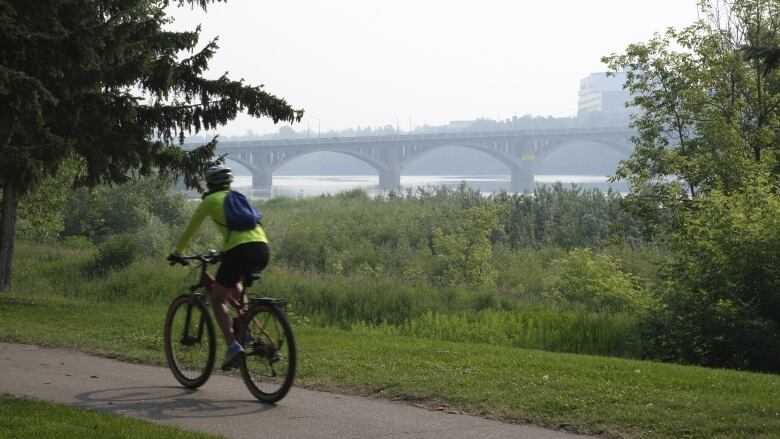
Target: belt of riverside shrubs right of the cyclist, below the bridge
[{"x": 397, "y": 234}]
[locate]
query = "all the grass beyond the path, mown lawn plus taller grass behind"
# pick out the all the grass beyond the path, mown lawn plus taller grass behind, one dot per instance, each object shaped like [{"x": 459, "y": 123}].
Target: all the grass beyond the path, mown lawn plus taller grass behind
[{"x": 463, "y": 352}]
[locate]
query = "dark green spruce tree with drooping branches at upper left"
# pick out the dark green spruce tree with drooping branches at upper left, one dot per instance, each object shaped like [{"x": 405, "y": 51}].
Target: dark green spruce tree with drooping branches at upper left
[{"x": 104, "y": 83}]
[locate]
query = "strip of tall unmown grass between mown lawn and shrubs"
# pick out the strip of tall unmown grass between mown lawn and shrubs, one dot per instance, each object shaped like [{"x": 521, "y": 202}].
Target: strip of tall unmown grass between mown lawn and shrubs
[{"x": 362, "y": 304}]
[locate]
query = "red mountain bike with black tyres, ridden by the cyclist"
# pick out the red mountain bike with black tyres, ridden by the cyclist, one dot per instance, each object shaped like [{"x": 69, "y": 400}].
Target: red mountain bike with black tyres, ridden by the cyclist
[{"x": 260, "y": 324}]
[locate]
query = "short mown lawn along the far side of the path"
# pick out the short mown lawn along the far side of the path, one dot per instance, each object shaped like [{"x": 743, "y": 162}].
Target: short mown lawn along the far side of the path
[{"x": 623, "y": 398}]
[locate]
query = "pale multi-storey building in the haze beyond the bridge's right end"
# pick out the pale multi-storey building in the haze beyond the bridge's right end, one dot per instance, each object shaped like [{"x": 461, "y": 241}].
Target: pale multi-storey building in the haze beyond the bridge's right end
[{"x": 602, "y": 100}]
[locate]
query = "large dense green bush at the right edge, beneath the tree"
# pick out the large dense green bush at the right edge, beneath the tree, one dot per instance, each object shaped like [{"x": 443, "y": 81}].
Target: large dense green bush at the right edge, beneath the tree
[{"x": 721, "y": 297}]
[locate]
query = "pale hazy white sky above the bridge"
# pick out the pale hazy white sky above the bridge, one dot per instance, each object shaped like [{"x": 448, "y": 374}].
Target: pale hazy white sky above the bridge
[{"x": 364, "y": 63}]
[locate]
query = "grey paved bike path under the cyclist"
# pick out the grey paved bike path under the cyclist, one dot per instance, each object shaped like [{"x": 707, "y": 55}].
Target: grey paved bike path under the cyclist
[{"x": 225, "y": 407}]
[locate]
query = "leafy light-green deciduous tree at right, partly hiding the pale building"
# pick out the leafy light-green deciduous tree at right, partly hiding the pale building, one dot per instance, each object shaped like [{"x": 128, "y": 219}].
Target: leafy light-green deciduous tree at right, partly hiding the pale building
[{"x": 707, "y": 106}]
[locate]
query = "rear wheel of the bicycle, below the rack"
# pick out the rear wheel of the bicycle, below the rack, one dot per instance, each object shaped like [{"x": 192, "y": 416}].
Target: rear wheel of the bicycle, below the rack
[{"x": 268, "y": 366}]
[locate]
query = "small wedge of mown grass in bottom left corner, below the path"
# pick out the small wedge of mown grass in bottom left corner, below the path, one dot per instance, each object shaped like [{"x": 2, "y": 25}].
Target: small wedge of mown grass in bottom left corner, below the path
[{"x": 26, "y": 418}]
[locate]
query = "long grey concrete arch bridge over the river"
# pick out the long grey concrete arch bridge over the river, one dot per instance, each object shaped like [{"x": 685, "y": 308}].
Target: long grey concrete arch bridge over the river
[{"x": 389, "y": 154}]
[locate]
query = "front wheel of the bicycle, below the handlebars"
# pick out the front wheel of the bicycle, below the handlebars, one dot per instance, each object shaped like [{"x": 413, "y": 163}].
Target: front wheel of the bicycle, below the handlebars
[{"x": 190, "y": 342}]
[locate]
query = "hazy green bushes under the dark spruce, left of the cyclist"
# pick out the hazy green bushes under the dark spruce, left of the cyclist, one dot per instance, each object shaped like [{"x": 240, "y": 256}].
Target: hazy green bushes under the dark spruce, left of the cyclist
[{"x": 142, "y": 215}]
